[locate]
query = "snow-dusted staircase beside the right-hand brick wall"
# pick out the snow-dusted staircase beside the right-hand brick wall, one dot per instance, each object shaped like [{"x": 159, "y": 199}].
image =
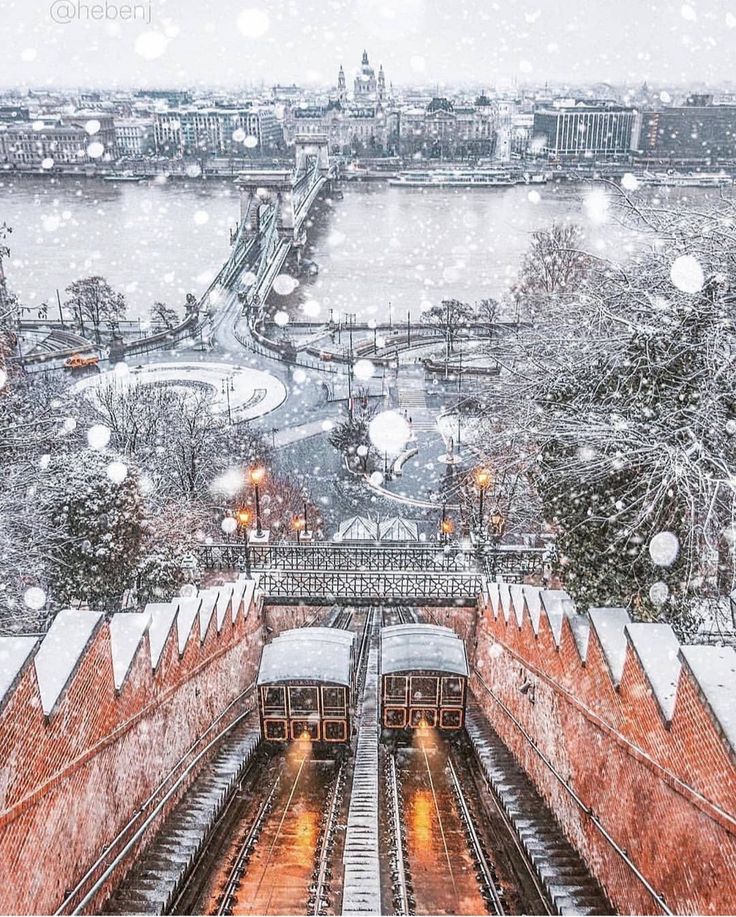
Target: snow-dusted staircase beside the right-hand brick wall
[{"x": 563, "y": 874}]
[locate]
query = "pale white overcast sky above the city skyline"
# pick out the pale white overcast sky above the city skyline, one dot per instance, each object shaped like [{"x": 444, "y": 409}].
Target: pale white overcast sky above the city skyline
[{"x": 422, "y": 42}]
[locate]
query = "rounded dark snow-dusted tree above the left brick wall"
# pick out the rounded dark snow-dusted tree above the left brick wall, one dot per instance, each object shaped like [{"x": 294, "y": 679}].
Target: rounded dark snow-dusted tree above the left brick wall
[{"x": 97, "y": 524}]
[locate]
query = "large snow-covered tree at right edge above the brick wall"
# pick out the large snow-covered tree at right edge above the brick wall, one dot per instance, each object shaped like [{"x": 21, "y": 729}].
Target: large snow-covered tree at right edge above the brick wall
[{"x": 626, "y": 392}]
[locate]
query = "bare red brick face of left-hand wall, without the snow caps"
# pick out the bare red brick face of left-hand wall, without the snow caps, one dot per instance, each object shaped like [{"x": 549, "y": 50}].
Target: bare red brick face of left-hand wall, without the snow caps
[{"x": 71, "y": 781}]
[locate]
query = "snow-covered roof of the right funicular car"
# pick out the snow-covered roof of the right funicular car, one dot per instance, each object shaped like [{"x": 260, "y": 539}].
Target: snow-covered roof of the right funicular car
[{"x": 422, "y": 647}]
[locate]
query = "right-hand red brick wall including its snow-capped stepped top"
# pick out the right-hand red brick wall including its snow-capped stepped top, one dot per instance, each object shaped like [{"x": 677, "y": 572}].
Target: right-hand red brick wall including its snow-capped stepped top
[{"x": 642, "y": 730}]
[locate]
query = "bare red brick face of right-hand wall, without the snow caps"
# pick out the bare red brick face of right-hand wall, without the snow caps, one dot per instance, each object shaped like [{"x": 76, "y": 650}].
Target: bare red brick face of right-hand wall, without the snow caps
[{"x": 666, "y": 793}]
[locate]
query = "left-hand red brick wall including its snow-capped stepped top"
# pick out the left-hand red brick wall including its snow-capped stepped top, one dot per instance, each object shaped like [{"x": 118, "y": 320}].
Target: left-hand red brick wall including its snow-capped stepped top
[{"x": 92, "y": 719}]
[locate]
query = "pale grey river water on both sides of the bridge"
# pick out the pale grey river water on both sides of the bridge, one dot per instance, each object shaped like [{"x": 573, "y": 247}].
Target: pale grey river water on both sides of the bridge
[{"x": 380, "y": 249}]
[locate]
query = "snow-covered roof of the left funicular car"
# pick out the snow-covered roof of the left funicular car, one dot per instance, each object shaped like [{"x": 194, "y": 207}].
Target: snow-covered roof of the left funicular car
[{"x": 318, "y": 659}]
